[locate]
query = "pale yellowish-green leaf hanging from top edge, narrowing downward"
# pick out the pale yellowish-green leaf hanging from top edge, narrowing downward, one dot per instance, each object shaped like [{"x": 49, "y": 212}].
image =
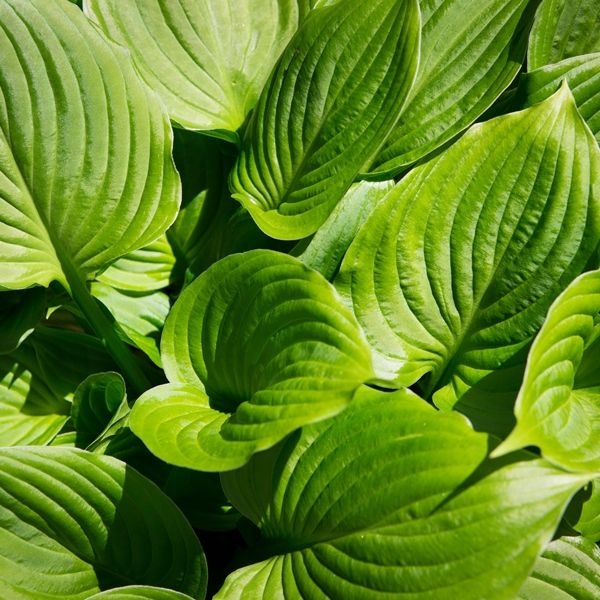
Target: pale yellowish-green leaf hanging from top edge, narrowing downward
[{"x": 207, "y": 59}]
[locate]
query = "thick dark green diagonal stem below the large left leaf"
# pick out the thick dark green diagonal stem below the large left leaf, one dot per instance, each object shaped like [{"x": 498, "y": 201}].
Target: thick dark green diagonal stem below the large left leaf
[{"x": 105, "y": 329}]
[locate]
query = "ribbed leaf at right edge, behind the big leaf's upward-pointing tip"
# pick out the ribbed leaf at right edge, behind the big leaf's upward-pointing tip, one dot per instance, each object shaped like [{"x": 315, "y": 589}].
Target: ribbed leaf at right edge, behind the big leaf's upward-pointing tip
[{"x": 583, "y": 76}]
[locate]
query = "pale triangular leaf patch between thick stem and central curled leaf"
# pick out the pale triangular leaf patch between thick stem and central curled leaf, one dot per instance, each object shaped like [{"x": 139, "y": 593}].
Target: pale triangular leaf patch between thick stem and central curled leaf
[{"x": 141, "y": 316}]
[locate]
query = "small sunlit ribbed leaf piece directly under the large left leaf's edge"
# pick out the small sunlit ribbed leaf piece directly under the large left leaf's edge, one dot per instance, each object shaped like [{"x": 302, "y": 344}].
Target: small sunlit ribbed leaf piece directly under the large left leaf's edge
[{"x": 145, "y": 270}]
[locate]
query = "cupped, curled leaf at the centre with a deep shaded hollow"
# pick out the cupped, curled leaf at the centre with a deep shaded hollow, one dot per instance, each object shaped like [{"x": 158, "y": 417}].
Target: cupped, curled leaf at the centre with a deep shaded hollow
[{"x": 255, "y": 347}]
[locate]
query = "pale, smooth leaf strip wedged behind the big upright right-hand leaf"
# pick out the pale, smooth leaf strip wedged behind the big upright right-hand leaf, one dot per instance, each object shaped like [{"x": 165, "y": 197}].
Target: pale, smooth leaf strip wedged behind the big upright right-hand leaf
[{"x": 327, "y": 247}]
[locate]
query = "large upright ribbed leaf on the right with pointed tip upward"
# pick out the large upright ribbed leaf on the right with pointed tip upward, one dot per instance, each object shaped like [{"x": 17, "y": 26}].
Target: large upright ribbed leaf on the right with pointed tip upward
[{"x": 453, "y": 273}]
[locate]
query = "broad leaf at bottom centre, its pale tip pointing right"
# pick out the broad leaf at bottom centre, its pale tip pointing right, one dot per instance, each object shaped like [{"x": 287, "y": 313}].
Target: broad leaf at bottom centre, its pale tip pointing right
[{"x": 385, "y": 501}]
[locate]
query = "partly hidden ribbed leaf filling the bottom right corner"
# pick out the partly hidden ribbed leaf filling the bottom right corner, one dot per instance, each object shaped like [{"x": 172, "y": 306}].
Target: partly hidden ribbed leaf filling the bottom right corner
[{"x": 569, "y": 568}]
